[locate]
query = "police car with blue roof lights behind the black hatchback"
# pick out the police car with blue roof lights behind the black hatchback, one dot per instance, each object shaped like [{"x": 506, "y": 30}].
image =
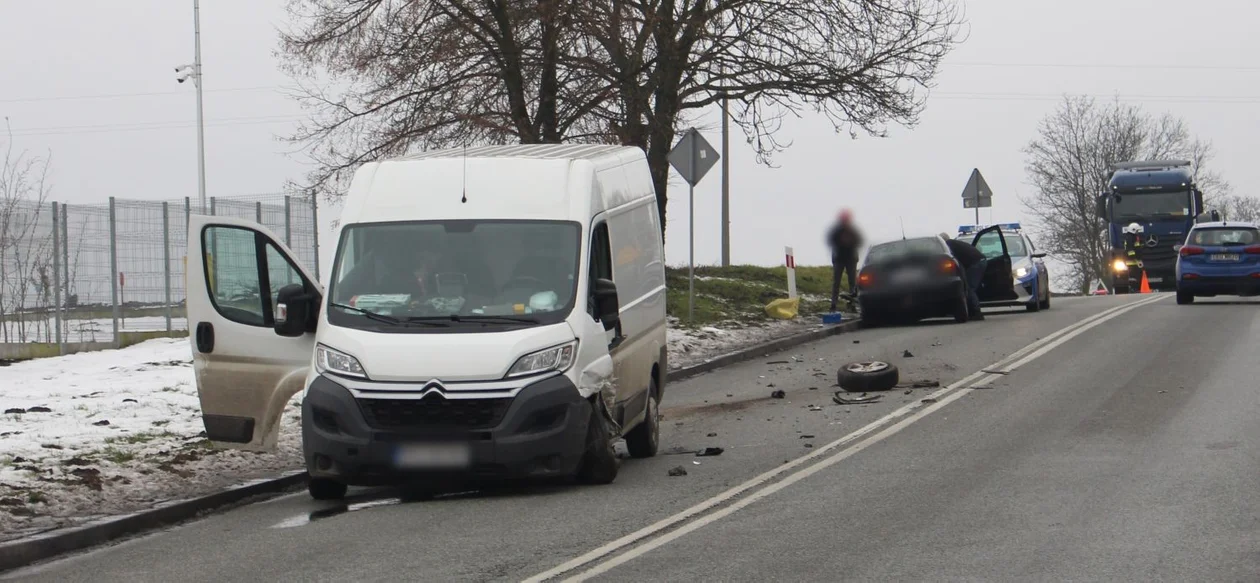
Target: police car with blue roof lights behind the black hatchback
[{"x": 1016, "y": 275}]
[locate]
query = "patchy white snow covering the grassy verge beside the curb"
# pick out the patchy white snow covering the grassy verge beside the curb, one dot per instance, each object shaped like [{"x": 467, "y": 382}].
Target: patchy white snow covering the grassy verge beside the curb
[{"x": 105, "y": 434}]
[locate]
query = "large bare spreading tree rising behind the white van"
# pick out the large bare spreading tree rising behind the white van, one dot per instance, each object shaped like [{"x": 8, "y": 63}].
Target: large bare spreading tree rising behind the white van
[{"x": 432, "y": 74}]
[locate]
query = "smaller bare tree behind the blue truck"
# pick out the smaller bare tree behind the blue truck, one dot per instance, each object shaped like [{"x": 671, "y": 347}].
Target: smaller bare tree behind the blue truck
[{"x": 1070, "y": 164}]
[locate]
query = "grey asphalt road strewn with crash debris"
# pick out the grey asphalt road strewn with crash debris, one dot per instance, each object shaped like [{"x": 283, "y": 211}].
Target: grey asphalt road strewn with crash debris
[{"x": 1117, "y": 440}]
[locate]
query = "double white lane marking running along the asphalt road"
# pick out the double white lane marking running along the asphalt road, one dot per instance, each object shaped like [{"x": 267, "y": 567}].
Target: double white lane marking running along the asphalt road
[{"x": 1007, "y": 365}]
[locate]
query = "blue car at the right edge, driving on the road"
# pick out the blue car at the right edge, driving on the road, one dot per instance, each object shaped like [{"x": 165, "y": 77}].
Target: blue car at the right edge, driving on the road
[{"x": 1219, "y": 259}]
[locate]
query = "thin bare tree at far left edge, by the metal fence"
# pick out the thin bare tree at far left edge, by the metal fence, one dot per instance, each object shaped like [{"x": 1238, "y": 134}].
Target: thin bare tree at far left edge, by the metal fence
[{"x": 23, "y": 252}]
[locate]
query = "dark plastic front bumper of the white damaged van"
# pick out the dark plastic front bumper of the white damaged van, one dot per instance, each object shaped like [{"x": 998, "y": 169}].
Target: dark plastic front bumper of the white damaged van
[{"x": 541, "y": 433}]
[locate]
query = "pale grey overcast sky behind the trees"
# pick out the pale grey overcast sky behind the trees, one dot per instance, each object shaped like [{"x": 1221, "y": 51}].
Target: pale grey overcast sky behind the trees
[{"x": 94, "y": 82}]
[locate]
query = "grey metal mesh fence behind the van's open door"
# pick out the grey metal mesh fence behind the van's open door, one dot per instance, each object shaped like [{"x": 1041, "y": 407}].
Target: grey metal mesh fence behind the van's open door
[{"x": 85, "y": 274}]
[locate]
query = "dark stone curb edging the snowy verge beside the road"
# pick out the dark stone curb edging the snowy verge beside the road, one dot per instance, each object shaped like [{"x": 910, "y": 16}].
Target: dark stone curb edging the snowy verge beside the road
[{"x": 26, "y": 552}]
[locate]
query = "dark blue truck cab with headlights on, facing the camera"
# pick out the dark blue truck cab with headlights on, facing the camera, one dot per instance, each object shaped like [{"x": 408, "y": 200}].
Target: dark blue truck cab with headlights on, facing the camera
[{"x": 1148, "y": 208}]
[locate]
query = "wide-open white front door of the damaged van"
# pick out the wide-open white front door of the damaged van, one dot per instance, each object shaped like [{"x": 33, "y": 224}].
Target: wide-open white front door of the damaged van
[{"x": 246, "y": 372}]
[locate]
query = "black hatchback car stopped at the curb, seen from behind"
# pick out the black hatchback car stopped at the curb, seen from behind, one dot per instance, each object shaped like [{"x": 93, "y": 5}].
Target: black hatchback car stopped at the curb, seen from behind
[{"x": 910, "y": 280}]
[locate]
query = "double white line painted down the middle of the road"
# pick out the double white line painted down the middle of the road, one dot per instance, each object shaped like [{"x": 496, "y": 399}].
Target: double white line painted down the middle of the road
[{"x": 665, "y": 532}]
